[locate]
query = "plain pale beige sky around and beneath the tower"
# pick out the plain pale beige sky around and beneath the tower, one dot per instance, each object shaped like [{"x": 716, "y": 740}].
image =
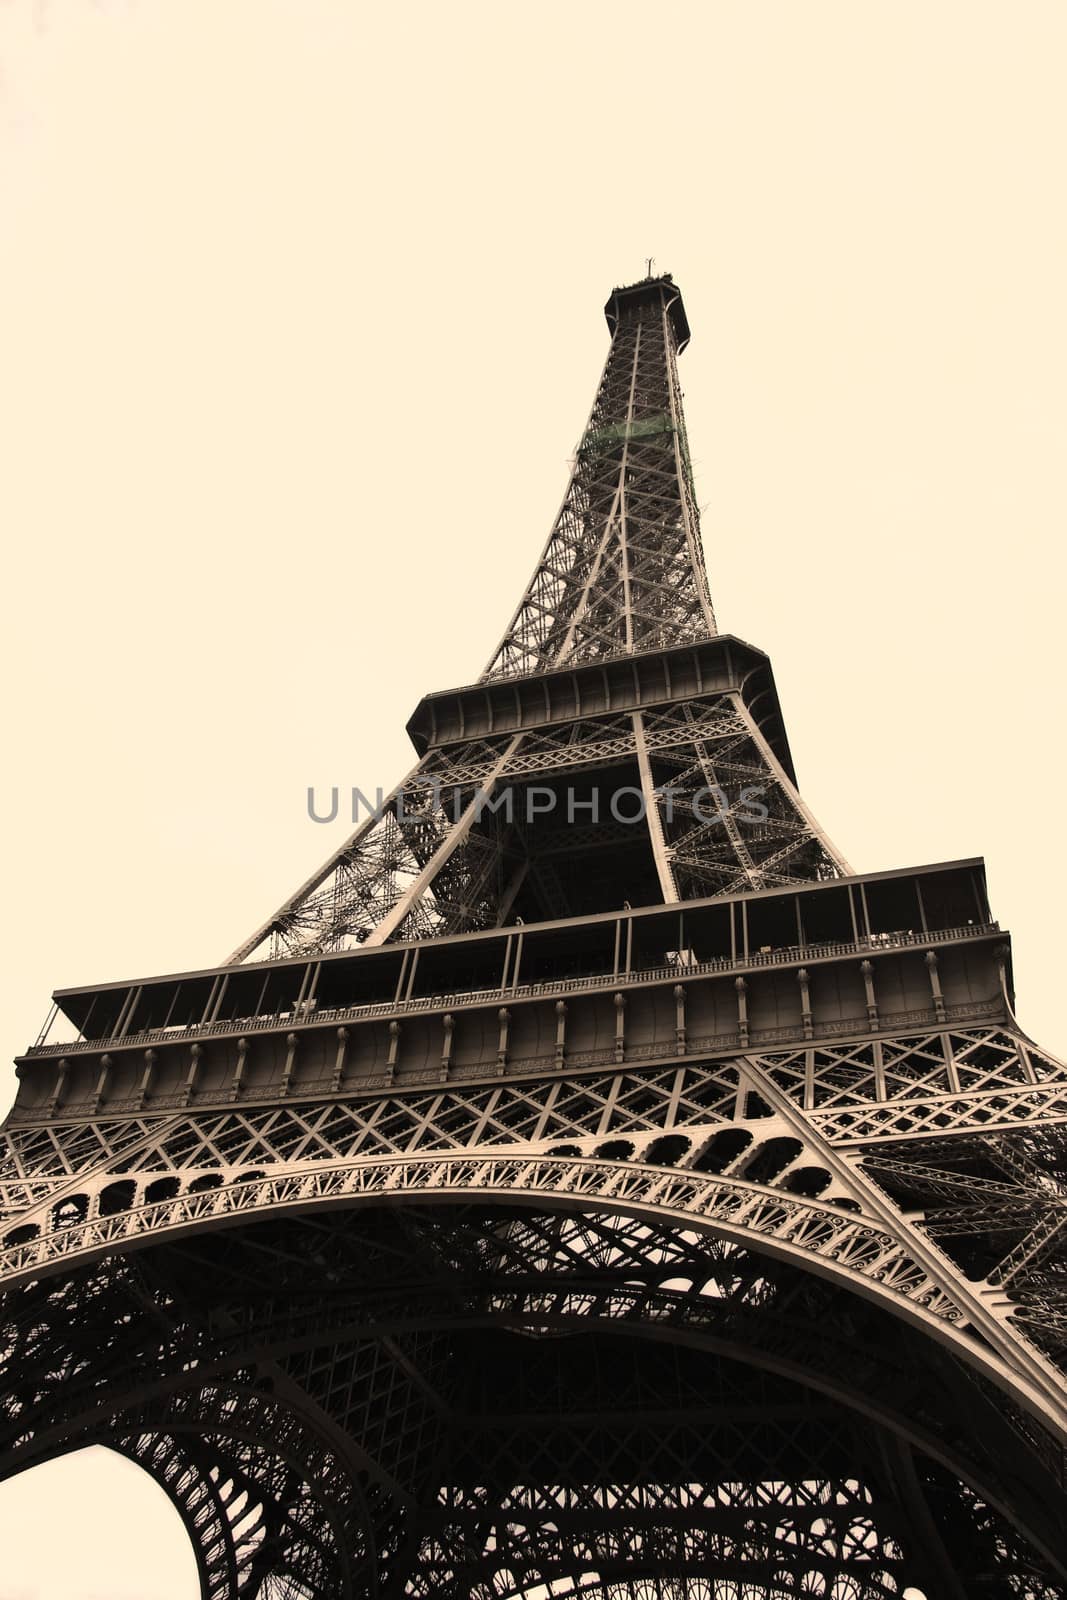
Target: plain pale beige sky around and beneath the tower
[{"x": 300, "y": 321}]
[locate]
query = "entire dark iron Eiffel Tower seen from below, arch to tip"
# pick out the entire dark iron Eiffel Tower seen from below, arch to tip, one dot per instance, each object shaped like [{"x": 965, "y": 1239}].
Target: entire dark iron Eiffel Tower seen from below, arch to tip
[{"x": 585, "y": 1185}]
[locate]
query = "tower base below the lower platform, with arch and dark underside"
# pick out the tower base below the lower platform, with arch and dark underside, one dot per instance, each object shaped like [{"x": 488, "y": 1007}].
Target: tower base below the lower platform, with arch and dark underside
[{"x": 748, "y": 1230}]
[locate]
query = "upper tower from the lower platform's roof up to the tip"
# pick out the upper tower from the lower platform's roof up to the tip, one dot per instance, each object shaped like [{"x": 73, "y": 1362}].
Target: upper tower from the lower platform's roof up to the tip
[{"x": 610, "y": 681}]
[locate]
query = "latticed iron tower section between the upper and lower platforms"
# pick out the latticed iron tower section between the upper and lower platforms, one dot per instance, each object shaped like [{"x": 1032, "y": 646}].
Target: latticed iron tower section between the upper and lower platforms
[{"x": 671, "y": 804}]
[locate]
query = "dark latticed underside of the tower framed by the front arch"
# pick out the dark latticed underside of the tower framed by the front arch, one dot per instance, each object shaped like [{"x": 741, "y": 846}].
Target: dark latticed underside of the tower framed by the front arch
[{"x": 489, "y": 1401}]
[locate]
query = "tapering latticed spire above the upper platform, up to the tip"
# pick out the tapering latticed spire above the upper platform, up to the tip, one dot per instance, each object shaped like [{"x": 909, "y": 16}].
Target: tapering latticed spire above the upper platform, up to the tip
[{"x": 623, "y": 570}]
